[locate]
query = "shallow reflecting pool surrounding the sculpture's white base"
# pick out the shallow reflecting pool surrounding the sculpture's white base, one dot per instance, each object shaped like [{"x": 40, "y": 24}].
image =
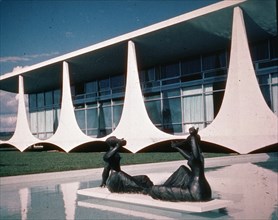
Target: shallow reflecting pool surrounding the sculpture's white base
[{"x": 252, "y": 187}]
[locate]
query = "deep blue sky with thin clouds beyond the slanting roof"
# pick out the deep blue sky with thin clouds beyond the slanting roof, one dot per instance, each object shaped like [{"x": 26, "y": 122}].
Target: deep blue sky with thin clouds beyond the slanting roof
[{"x": 35, "y": 31}]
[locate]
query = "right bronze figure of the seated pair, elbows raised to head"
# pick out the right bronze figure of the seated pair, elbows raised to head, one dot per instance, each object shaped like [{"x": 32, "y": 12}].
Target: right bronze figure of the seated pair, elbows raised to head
[{"x": 185, "y": 184}]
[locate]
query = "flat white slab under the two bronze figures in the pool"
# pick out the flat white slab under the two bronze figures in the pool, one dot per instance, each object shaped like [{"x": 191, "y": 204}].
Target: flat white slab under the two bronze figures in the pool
[{"x": 144, "y": 200}]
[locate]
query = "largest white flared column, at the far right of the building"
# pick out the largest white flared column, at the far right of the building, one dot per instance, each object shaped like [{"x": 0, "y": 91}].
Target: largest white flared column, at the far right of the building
[{"x": 244, "y": 123}]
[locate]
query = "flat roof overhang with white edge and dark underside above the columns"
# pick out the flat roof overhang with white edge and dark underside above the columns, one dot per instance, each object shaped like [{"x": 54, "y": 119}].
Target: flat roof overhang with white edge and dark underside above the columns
[{"x": 200, "y": 31}]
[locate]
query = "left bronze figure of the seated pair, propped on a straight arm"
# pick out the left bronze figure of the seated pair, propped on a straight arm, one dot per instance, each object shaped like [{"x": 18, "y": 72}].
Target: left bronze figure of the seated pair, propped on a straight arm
[{"x": 114, "y": 178}]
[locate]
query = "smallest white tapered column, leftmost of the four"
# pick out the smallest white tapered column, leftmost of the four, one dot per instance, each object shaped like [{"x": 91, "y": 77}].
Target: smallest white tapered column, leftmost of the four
[{"x": 22, "y": 137}]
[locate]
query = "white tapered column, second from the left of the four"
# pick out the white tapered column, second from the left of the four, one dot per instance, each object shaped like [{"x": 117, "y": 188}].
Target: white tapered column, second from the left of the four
[{"x": 68, "y": 134}]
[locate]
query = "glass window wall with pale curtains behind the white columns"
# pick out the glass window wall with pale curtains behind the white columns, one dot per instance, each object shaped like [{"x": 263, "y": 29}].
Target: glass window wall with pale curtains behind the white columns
[{"x": 177, "y": 95}]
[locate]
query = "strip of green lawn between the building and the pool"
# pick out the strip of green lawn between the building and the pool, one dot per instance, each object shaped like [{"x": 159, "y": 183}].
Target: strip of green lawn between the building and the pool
[{"x": 16, "y": 163}]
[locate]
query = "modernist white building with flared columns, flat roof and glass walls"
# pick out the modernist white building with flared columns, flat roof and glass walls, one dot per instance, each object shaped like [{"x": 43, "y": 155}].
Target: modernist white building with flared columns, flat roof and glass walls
[{"x": 215, "y": 68}]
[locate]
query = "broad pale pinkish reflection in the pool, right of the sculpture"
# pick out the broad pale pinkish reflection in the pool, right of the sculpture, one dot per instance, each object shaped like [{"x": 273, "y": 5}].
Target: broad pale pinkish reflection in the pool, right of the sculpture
[{"x": 253, "y": 190}]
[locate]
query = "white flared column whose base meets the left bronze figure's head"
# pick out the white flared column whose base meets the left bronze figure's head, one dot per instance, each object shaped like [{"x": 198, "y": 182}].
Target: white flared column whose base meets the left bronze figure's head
[{"x": 135, "y": 126}]
